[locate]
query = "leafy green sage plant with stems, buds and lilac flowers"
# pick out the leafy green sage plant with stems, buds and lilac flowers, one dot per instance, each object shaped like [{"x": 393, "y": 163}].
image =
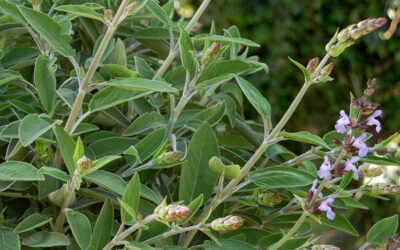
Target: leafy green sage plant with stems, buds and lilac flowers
[{"x": 123, "y": 127}]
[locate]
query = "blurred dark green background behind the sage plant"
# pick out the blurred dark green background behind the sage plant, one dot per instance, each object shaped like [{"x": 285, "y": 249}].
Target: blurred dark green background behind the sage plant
[{"x": 300, "y": 29}]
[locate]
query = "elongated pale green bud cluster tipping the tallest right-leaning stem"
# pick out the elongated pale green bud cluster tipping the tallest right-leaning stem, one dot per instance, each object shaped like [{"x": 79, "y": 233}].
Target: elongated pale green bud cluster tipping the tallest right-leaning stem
[{"x": 347, "y": 37}]
